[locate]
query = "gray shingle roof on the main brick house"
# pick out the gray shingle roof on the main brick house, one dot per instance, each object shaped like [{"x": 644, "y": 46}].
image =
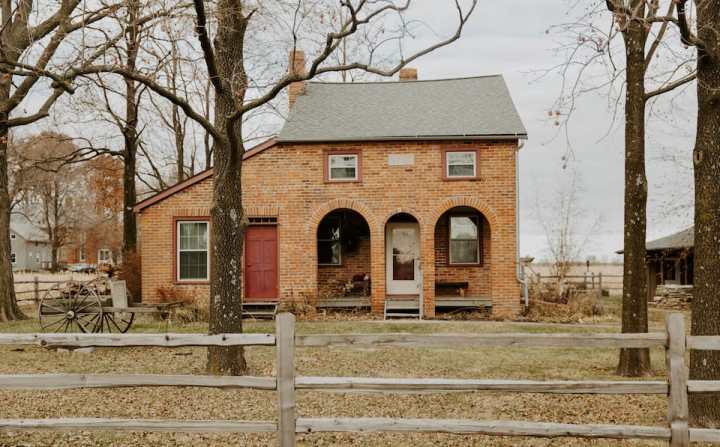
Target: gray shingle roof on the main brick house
[{"x": 478, "y": 107}]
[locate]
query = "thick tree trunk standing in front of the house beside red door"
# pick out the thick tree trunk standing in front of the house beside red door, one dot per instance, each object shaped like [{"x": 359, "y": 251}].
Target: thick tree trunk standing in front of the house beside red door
[{"x": 228, "y": 219}]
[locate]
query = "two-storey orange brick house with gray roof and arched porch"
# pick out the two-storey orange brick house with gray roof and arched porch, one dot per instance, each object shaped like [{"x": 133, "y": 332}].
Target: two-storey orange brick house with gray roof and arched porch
[{"x": 392, "y": 195}]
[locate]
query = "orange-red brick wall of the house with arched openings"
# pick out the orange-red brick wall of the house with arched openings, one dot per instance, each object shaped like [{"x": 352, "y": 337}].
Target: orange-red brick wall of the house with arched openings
[{"x": 287, "y": 181}]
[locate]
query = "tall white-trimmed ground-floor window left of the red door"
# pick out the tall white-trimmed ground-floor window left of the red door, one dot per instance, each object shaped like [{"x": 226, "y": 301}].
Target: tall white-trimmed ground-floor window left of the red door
[{"x": 193, "y": 256}]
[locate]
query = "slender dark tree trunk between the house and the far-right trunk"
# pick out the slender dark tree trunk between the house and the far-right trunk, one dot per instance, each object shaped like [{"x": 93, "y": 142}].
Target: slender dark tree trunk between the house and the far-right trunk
[{"x": 635, "y": 362}]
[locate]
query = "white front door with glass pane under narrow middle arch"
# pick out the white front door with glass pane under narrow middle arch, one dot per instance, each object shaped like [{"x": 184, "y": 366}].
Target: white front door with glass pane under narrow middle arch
[{"x": 402, "y": 258}]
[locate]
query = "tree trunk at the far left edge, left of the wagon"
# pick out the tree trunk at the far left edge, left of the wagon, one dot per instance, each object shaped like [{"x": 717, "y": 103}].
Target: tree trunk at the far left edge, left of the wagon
[{"x": 9, "y": 310}]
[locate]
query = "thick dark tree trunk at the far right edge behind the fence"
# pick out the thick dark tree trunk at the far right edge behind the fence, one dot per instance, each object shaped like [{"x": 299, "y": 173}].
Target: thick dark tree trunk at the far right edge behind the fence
[{"x": 705, "y": 365}]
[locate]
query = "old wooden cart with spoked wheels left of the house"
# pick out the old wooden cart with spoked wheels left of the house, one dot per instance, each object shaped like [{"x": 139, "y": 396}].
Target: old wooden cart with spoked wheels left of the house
[{"x": 99, "y": 305}]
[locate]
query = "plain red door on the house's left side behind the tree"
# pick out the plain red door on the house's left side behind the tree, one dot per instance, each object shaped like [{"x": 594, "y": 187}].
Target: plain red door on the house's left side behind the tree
[{"x": 261, "y": 263}]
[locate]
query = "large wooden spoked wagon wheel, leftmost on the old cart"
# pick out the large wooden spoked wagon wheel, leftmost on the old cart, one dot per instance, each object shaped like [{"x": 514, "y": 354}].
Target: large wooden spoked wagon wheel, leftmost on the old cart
[{"x": 72, "y": 308}]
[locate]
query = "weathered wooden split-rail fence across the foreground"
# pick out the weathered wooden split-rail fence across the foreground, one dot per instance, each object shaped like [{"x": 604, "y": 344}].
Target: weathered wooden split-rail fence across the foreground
[{"x": 286, "y": 383}]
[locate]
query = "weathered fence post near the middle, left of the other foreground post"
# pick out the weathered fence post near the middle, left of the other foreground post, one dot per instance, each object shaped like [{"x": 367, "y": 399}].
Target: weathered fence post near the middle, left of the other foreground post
[{"x": 285, "y": 340}]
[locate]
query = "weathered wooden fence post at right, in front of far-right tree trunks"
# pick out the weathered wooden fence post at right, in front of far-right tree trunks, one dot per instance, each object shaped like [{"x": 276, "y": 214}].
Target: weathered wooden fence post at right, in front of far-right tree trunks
[{"x": 677, "y": 381}]
